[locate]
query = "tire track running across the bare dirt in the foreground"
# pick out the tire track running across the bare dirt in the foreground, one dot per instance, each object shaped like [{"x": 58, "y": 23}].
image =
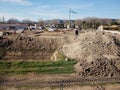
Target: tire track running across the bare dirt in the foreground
[{"x": 56, "y": 83}]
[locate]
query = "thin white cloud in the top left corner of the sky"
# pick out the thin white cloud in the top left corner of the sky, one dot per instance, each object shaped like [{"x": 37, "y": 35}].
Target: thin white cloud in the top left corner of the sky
[{"x": 21, "y": 2}]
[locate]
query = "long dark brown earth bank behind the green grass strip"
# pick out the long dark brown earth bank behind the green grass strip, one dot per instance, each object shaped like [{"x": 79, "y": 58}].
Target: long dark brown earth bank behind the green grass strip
[{"x": 29, "y": 47}]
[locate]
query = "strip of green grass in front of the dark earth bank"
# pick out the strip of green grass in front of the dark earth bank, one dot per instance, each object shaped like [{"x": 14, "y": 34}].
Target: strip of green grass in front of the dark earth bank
[{"x": 24, "y": 67}]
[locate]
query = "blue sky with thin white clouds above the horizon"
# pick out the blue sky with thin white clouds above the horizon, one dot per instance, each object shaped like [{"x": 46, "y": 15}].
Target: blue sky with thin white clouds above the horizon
[{"x": 59, "y": 9}]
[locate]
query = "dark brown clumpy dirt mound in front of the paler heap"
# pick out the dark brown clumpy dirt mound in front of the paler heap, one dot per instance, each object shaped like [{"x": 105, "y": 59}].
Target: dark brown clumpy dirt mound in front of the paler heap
[{"x": 99, "y": 66}]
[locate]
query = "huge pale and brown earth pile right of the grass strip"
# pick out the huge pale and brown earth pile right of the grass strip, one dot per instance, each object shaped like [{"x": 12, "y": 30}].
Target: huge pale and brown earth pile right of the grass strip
[{"x": 98, "y": 54}]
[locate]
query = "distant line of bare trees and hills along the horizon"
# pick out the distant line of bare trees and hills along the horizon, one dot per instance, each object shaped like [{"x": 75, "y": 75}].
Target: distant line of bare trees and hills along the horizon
[{"x": 86, "y": 23}]
